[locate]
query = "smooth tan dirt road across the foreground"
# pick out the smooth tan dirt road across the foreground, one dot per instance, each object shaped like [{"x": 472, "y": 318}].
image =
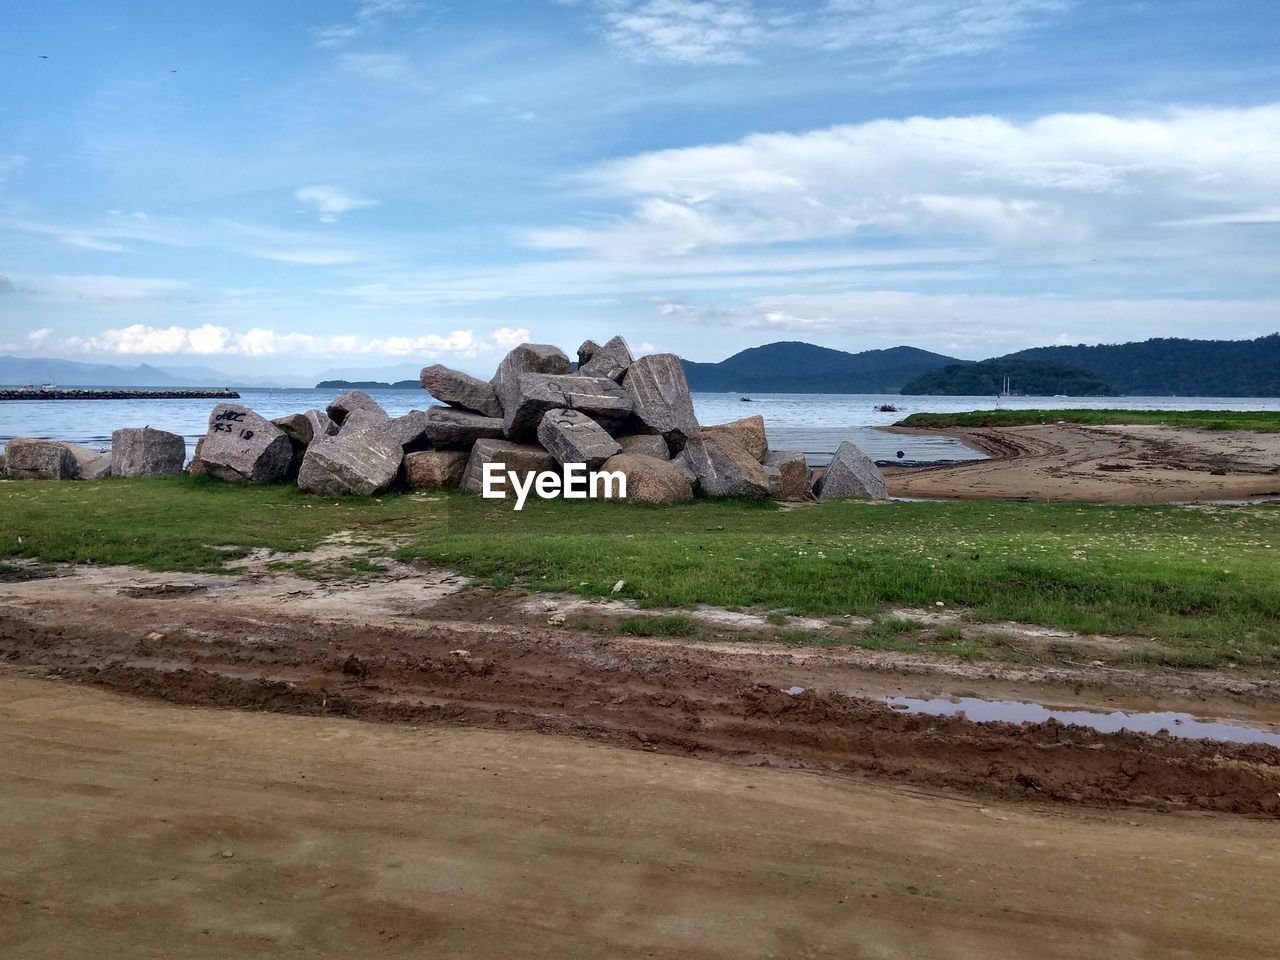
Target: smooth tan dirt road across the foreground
[{"x": 143, "y": 830}]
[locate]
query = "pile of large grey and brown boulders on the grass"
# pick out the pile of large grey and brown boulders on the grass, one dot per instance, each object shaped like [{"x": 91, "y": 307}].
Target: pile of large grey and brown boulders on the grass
[{"x": 614, "y": 414}]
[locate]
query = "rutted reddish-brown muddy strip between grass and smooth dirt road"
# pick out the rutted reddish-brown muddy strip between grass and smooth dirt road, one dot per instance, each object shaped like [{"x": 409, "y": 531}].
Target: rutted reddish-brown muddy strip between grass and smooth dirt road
[{"x": 422, "y": 648}]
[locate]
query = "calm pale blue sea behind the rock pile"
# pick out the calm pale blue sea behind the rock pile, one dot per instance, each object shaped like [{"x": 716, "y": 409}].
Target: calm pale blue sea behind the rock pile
[{"x": 811, "y": 423}]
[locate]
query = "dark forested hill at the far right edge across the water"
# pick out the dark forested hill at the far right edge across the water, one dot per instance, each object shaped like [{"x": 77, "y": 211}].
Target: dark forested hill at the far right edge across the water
[{"x": 1180, "y": 368}]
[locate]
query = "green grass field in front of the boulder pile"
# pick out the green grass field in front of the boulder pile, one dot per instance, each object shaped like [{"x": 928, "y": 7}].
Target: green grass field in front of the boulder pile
[{"x": 1205, "y": 583}]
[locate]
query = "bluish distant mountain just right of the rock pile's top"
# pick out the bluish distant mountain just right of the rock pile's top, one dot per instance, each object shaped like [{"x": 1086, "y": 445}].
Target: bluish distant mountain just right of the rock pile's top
[{"x": 802, "y": 368}]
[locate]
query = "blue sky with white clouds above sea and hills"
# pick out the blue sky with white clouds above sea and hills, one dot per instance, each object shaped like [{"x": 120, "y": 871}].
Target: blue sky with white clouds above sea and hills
[{"x": 294, "y": 188}]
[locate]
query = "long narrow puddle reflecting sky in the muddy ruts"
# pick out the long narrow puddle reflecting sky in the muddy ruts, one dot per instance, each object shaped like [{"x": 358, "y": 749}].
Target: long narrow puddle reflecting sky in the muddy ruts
[{"x": 1180, "y": 725}]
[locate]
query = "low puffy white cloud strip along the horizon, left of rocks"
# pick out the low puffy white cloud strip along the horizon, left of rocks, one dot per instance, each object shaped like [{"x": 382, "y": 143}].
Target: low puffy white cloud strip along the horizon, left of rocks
[{"x": 211, "y": 340}]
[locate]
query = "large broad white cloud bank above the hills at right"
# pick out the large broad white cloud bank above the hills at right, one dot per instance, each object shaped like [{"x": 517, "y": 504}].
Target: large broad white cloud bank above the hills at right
[{"x": 1050, "y": 184}]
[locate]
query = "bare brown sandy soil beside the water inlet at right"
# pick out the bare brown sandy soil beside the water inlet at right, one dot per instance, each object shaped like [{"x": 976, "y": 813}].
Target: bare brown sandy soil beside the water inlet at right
[{"x": 1101, "y": 465}]
